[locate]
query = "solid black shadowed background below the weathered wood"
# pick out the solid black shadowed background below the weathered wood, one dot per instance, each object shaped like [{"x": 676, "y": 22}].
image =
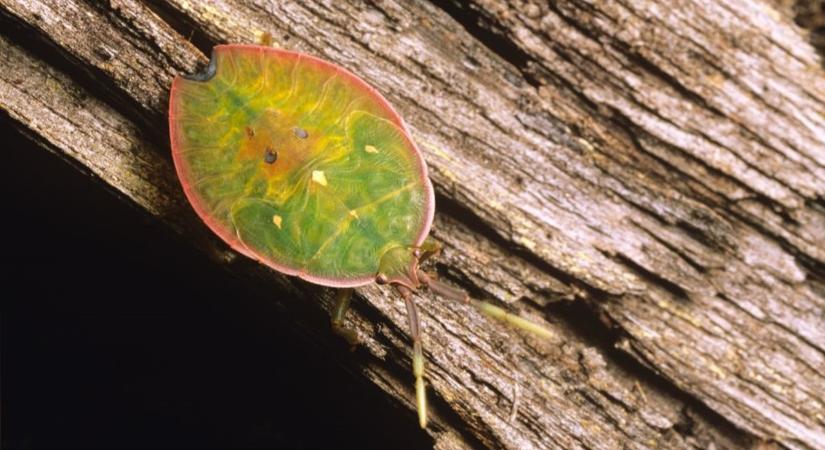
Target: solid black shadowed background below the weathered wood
[{"x": 118, "y": 335}]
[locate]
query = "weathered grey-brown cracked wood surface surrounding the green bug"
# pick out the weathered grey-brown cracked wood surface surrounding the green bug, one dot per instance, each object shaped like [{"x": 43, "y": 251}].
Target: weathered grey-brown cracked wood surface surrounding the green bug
[{"x": 644, "y": 178}]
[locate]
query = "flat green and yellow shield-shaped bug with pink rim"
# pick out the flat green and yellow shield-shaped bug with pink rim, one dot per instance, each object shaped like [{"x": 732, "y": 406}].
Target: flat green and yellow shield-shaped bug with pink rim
[{"x": 301, "y": 165}]
